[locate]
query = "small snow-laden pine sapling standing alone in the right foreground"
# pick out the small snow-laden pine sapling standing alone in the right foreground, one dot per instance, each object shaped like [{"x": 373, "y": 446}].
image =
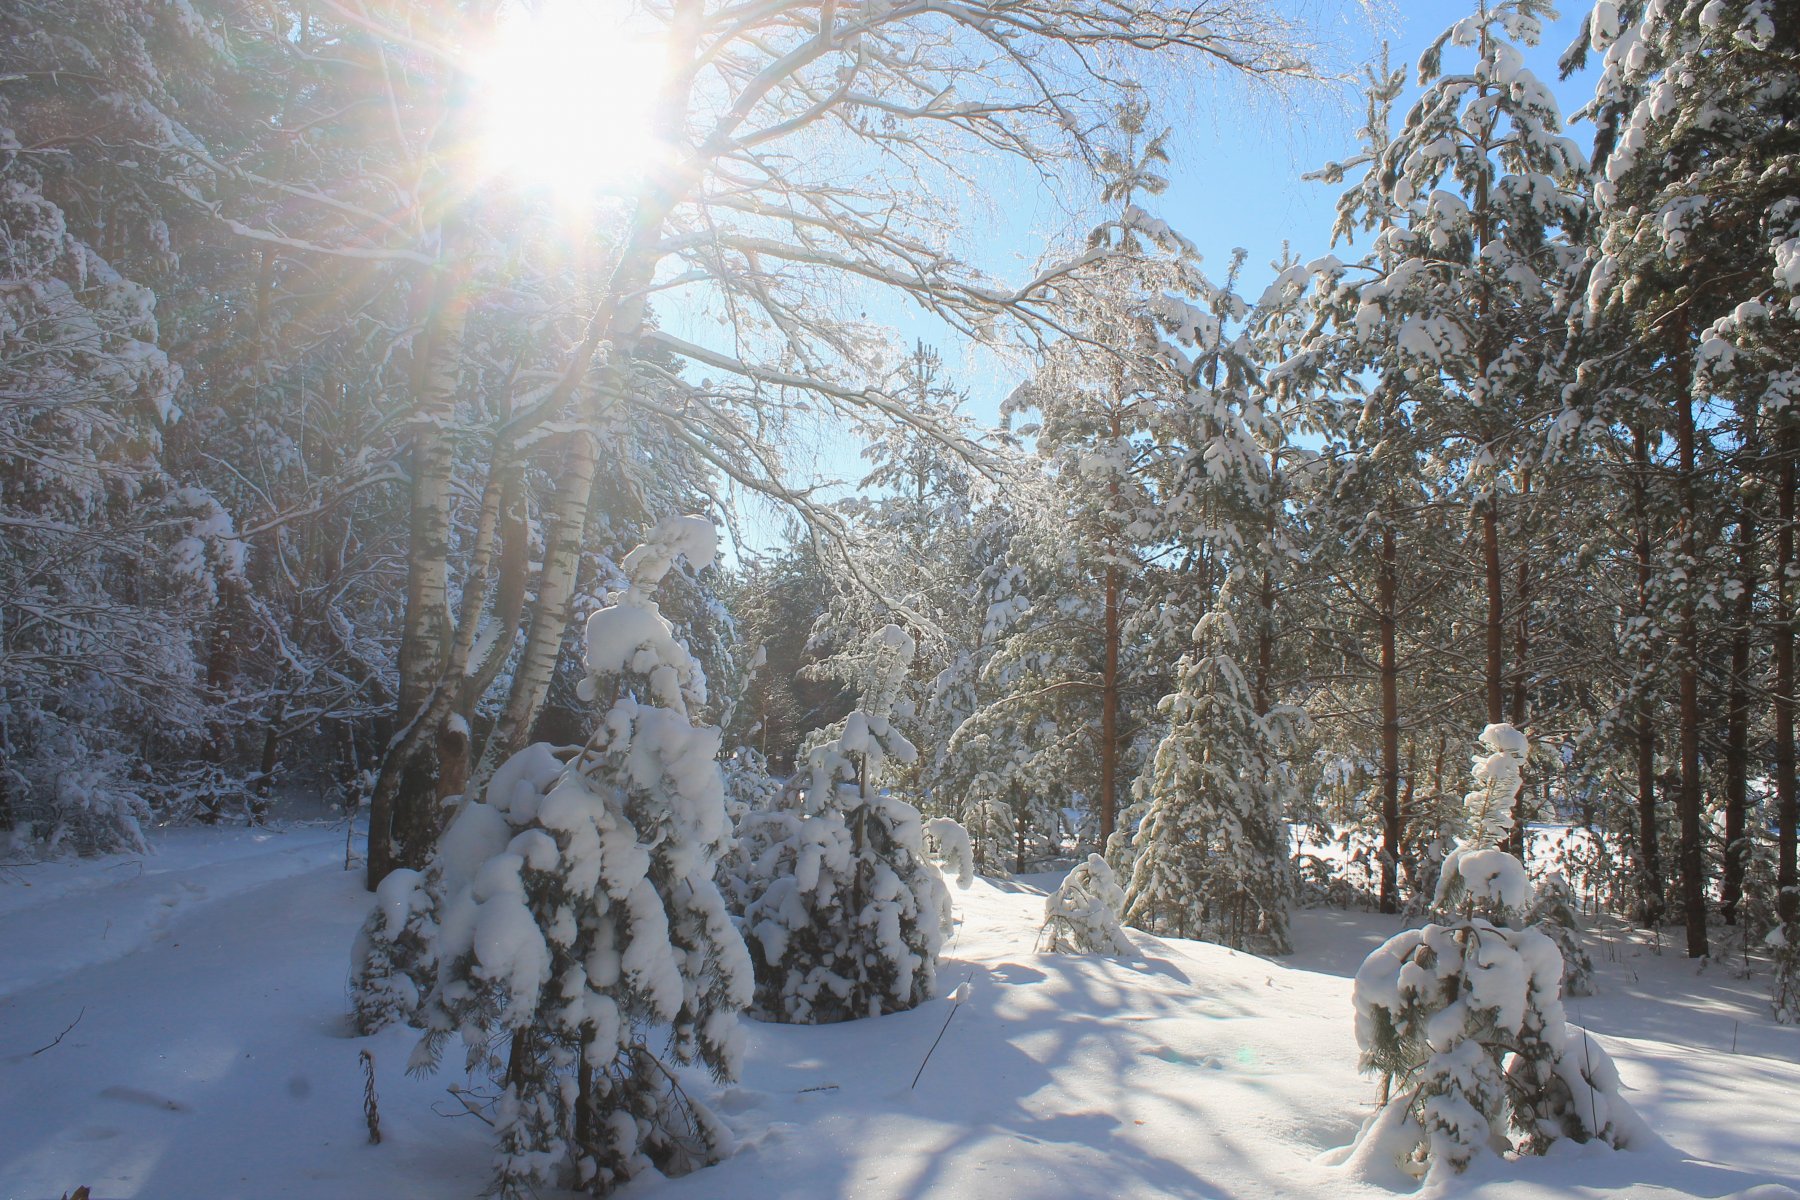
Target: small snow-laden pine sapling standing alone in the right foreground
[{"x": 1464, "y": 1019}]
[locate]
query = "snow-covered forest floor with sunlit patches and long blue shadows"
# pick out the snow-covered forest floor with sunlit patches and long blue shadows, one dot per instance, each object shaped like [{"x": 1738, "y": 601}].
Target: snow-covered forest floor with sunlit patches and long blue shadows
[{"x": 204, "y": 1055}]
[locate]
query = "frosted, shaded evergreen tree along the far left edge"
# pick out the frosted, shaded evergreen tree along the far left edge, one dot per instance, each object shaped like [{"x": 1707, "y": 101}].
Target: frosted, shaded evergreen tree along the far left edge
[{"x": 109, "y": 562}]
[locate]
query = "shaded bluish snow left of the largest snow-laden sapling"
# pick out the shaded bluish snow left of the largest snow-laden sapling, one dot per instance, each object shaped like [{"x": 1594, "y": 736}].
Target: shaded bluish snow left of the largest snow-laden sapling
[{"x": 215, "y": 1061}]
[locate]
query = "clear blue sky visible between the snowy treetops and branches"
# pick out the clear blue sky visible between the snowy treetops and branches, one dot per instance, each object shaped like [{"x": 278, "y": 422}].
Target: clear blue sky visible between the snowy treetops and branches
[{"x": 1236, "y": 181}]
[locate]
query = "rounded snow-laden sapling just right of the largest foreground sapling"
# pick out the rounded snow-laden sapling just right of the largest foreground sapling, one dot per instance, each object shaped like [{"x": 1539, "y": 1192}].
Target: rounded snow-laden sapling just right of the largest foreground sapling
[{"x": 849, "y": 913}]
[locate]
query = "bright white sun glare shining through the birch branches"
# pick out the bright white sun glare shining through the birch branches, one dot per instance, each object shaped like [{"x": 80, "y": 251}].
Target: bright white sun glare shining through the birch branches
[{"x": 564, "y": 98}]
